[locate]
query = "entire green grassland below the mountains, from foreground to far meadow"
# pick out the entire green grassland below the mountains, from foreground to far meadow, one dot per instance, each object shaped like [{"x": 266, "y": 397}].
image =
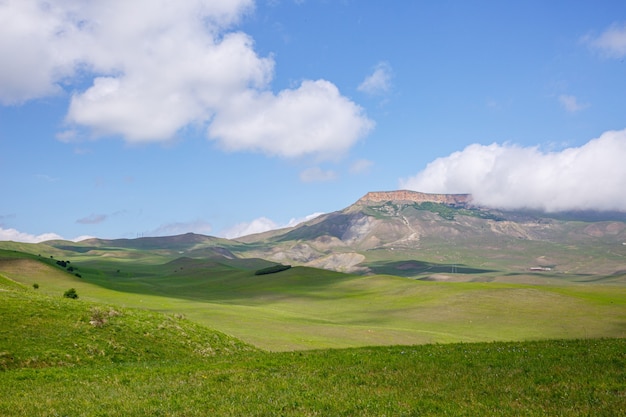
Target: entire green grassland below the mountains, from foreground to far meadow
[{"x": 156, "y": 334}]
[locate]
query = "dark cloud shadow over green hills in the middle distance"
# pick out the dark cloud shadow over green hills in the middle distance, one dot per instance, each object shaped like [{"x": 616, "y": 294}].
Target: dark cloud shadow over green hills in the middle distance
[{"x": 202, "y": 280}]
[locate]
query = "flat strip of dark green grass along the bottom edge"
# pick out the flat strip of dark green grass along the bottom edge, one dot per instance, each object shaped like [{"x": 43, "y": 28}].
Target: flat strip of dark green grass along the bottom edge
[{"x": 584, "y": 377}]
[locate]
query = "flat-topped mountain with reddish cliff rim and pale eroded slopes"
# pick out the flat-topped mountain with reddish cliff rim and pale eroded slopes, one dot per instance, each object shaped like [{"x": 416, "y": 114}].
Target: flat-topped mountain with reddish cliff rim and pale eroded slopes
[{"x": 389, "y": 231}]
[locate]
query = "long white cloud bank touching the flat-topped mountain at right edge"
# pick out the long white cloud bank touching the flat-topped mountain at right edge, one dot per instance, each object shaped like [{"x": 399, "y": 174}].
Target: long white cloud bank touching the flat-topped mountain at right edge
[{"x": 589, "y": 177}]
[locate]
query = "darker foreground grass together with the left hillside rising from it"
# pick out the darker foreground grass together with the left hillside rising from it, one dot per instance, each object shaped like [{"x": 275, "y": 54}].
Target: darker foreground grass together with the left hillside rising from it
[{"x": 141, "y": 363}]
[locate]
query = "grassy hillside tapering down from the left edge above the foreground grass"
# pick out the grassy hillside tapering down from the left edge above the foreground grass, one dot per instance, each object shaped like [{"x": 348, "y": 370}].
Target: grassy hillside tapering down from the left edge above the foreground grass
[{"x": 37, "y": 331}]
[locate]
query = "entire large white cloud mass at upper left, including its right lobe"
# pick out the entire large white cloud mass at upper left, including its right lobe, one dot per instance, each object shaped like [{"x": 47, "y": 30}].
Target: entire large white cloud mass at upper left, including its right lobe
[{"x": 153, "y": 67}]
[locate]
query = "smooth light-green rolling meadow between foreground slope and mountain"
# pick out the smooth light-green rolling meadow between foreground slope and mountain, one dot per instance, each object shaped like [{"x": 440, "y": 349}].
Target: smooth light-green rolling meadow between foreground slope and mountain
[{"x": 306, "y": 308}]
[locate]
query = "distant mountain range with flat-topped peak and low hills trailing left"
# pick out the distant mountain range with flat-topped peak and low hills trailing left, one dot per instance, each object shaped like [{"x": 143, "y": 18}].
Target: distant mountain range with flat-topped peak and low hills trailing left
[{"x": 418, "y": 235}]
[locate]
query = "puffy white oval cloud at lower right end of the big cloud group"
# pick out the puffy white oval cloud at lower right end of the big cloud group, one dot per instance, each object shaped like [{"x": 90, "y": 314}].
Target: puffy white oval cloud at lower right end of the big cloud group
[{"x": 314, "y": 118}]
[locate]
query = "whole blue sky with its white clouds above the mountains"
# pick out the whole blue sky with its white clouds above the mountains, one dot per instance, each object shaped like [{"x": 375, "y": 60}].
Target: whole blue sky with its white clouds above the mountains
[{"x": 123, "y": 119}]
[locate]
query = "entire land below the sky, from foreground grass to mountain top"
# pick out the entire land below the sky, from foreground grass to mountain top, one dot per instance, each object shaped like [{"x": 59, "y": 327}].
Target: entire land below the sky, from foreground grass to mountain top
[{"x": 409, "y": 306}]
